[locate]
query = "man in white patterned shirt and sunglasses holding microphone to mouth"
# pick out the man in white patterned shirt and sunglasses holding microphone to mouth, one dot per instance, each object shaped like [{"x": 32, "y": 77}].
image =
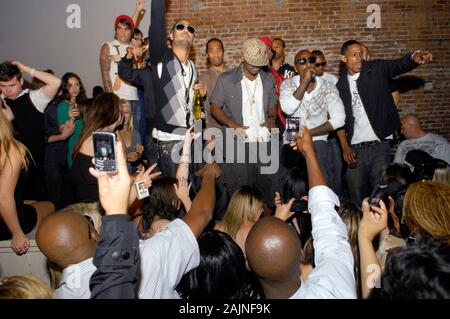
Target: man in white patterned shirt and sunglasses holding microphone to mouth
[{"x": 318, "y": 105}]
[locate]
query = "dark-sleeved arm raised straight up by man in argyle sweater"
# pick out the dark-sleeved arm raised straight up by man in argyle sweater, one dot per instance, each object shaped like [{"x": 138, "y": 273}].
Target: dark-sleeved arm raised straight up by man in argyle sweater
[{"x": 156, "y": 31}]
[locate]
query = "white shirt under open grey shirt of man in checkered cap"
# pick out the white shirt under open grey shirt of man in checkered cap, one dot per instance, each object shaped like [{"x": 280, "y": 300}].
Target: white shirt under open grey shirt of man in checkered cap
[{"x": 253, "y": 109}]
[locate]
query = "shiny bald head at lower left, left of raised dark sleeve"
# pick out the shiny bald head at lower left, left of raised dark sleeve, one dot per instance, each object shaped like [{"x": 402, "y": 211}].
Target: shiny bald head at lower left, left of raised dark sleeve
[{"x": 66, "y": 238}]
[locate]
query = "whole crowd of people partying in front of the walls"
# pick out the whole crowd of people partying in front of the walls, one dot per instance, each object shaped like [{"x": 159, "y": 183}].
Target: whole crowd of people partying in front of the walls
[{"x": 339, "y": 217}]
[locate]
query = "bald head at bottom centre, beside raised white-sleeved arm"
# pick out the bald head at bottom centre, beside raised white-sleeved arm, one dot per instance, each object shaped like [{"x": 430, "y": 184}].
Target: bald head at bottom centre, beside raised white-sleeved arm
[{"x": 273, "y": 250}]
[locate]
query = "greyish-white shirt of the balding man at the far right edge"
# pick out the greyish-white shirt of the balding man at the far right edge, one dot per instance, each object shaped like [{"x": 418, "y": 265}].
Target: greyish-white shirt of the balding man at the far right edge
[{"x": 433, "y": 144}]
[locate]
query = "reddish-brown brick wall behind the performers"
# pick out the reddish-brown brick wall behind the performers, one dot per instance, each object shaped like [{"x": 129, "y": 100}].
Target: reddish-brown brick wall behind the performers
[{"x": 325, "y": 25}]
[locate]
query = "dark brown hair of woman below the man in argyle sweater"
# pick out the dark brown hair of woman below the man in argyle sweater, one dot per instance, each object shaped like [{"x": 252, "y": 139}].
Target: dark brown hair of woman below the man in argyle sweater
[{"x": 160, "y": 202}]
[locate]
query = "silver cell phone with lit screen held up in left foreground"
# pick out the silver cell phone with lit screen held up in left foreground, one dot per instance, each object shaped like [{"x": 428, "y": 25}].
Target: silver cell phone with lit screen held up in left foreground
[{"x": 105, "y": 152}]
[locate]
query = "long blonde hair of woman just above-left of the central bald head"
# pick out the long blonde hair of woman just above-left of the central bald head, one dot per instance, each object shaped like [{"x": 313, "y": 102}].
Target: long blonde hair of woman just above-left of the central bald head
[{"x": 244, "y": 210}]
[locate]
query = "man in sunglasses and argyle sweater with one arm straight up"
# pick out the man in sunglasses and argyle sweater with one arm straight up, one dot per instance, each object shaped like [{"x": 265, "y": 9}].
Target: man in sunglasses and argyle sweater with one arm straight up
[{"x": 173, "y": 81}]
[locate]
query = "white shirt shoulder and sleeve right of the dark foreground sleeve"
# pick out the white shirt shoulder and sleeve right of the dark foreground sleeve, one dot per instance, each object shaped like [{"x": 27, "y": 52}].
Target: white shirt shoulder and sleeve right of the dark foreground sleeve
[{"x": 165, "y": 258}]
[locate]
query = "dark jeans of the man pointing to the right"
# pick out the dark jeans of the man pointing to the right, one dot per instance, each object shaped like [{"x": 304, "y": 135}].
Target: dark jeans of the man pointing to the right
[{"x": 371, "y": 161}]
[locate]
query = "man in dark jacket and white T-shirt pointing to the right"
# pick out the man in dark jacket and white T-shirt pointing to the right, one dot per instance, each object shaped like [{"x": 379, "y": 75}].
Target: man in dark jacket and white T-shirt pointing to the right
[{"x": 371, "y": 114}]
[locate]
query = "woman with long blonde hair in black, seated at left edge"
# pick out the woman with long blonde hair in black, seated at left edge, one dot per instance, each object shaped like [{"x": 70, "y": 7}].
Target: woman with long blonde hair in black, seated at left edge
[{"x": 16, "y": 217}]
